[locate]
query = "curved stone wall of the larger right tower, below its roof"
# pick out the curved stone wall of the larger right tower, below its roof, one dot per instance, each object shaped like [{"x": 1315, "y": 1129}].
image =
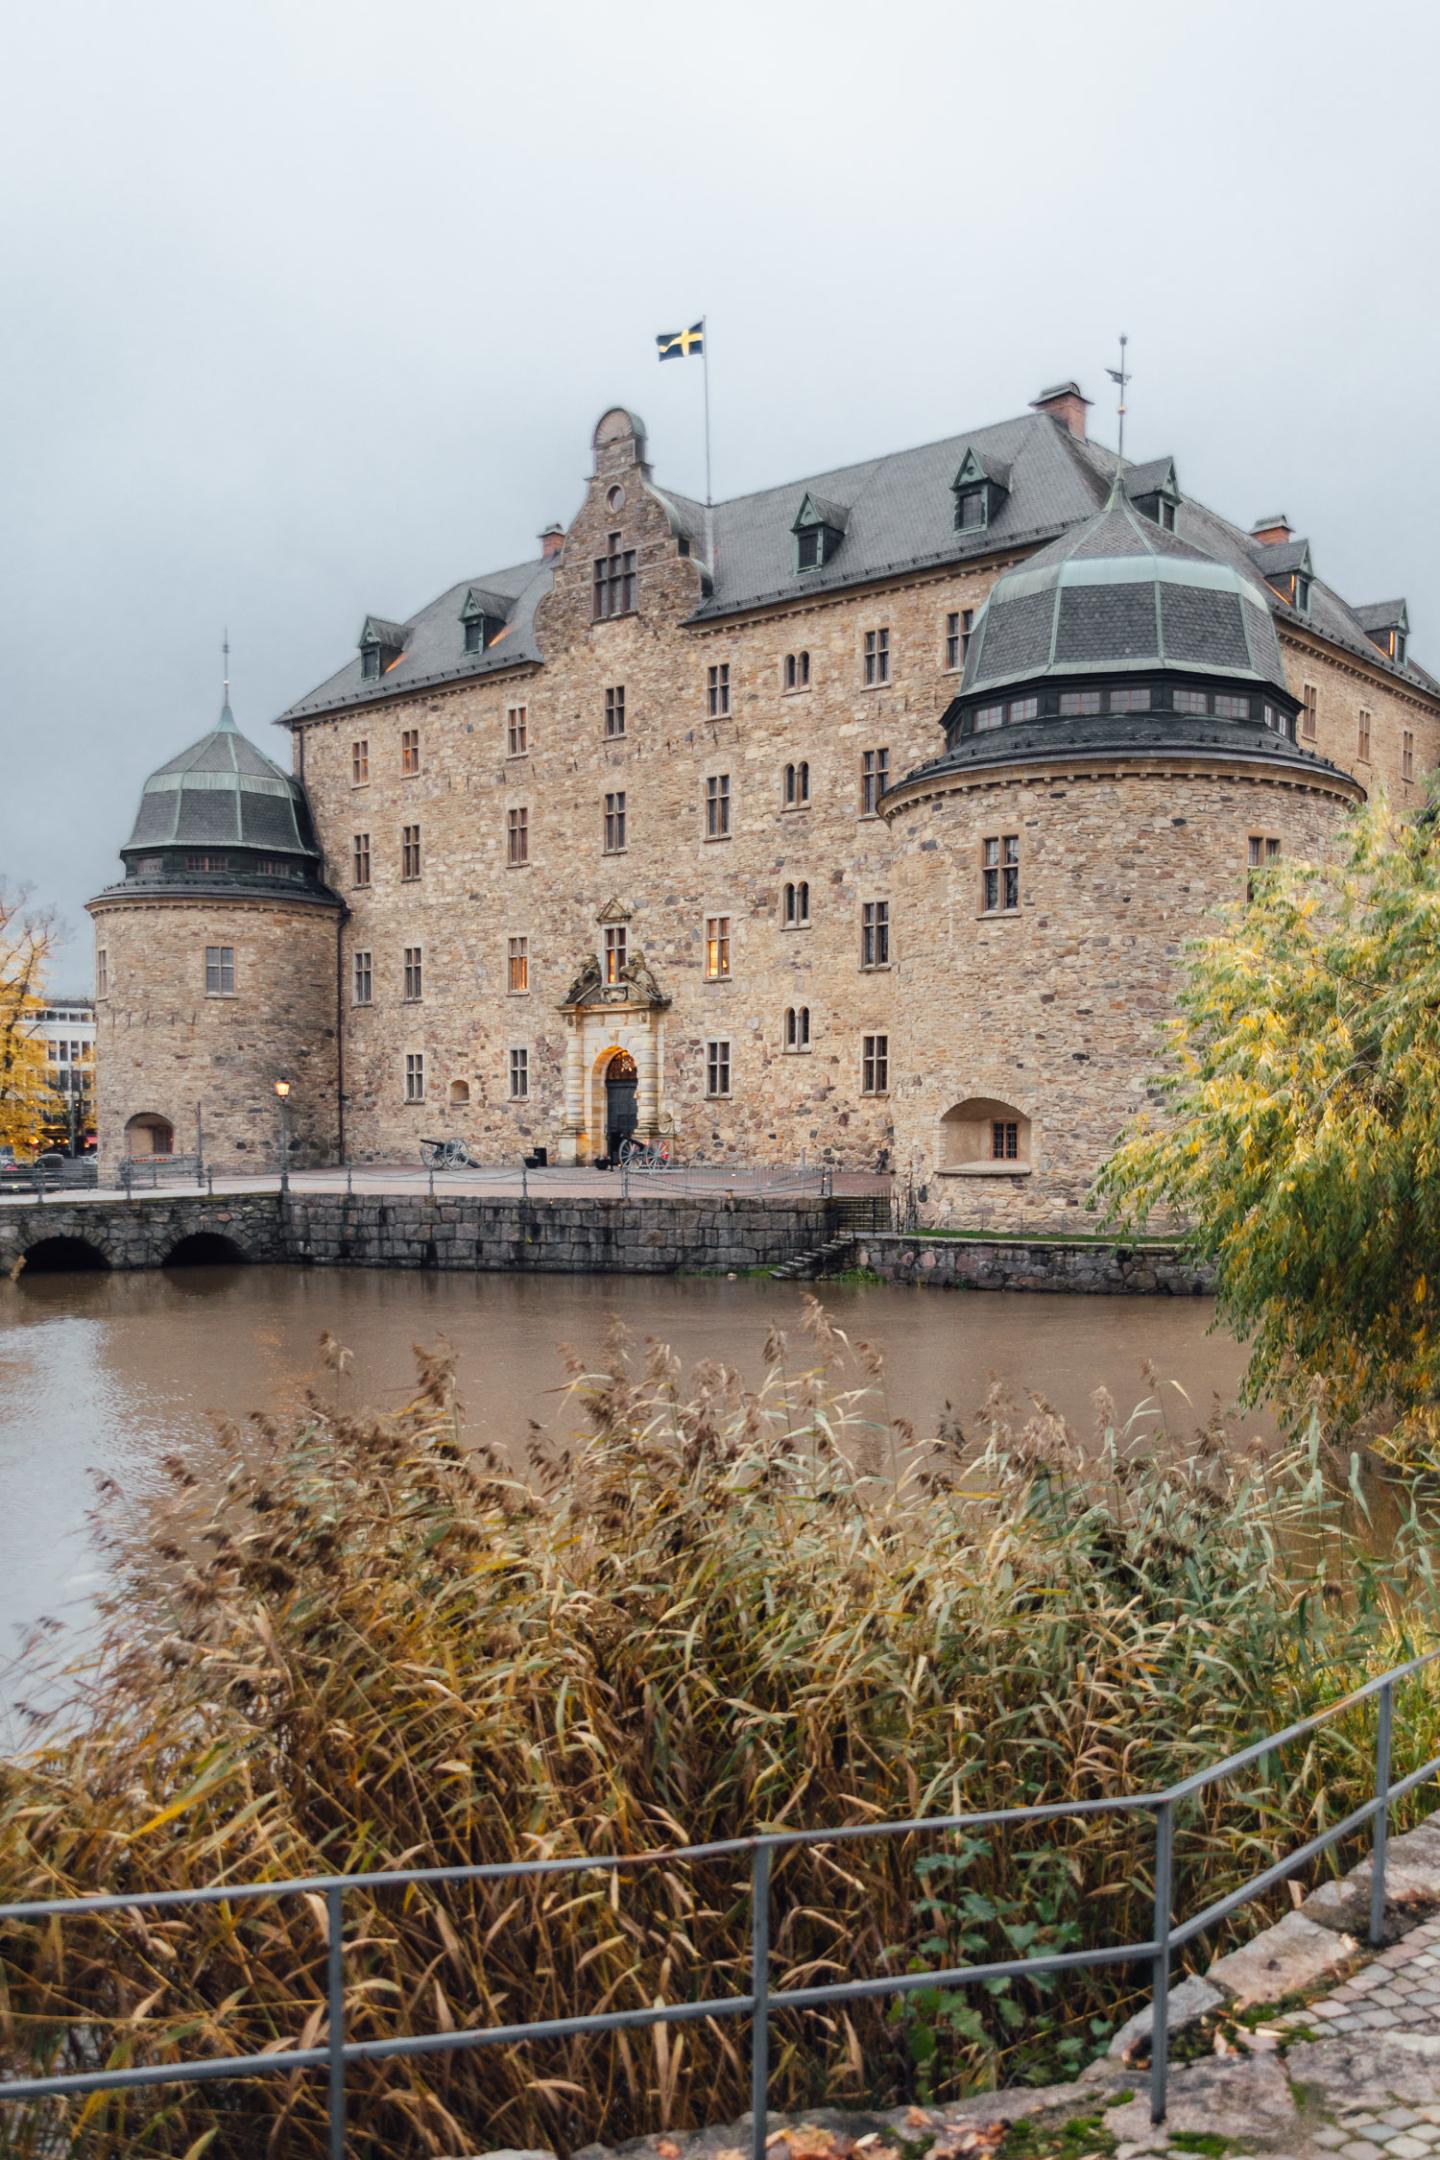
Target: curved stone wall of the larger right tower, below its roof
[{"x": 1055, "y": 1016}]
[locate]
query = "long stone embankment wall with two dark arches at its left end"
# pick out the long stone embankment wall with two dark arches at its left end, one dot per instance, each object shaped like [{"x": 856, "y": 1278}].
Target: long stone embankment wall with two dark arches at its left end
[{"x": 552, "y": 1237}]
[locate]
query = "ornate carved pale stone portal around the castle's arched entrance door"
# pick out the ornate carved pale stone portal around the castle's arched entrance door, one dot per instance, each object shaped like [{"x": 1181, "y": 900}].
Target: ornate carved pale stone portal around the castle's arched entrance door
[{"x": 614, "y": 1012}]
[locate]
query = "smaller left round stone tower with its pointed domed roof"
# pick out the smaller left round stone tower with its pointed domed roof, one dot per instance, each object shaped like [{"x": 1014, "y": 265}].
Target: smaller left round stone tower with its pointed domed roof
[{"x": 217, "y": 969}]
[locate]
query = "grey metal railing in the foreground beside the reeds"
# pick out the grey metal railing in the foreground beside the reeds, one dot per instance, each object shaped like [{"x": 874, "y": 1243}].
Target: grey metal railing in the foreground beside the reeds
[{"x": 761, "y": 2001}]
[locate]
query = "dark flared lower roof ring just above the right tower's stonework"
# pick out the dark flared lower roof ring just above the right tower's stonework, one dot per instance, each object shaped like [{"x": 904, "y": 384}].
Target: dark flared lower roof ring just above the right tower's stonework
[{"x": 1193, "y": 735}]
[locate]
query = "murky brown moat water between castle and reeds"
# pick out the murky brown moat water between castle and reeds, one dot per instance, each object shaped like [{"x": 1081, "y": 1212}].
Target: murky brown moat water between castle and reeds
[{"x": 109, "y": 1373}]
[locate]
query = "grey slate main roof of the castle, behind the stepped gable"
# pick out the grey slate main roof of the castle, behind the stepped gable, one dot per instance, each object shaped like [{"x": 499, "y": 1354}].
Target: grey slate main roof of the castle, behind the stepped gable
[{"x": 899, "y": 517}]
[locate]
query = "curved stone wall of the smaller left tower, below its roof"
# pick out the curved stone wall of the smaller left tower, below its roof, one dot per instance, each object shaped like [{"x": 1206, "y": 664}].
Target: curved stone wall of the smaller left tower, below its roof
[{"x": 208, "y": 1064}]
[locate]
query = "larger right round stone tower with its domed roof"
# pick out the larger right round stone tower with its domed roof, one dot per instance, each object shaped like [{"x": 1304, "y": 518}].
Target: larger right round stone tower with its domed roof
[{"x": 1119, "y": 761}]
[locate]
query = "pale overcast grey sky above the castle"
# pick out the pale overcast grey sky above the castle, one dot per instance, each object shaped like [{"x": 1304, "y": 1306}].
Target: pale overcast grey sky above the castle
[{"x": 310, "y": 308}]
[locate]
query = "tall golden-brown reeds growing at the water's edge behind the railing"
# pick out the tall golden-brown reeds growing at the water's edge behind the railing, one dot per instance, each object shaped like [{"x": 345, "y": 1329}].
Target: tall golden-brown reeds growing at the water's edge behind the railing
[{"x": 359, "y": 1645}]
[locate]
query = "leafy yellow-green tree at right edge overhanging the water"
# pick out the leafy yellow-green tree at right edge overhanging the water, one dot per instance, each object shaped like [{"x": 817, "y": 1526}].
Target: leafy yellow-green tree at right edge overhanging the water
[{"x": 1299, "y": 1133}]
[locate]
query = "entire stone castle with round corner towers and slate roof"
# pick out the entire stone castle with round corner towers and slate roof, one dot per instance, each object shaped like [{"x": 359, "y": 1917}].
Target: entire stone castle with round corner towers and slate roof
[{"x": 858, "y": 820}]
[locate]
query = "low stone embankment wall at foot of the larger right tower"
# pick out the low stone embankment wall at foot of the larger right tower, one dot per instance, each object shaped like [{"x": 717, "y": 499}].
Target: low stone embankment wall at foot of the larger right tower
[{"x": 1031, "y": 1265}]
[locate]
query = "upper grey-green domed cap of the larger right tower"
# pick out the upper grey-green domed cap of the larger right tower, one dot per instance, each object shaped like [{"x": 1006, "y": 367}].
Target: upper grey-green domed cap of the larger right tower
[{"x": 1122, "y": 593}]
